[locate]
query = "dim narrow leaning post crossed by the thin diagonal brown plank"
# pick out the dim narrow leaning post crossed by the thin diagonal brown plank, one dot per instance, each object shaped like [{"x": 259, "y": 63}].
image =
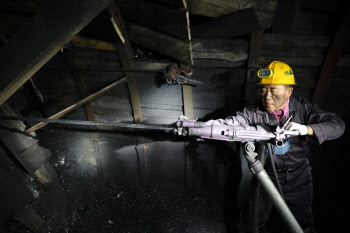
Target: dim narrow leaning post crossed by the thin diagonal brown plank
[{"x": 81, "y": 85}]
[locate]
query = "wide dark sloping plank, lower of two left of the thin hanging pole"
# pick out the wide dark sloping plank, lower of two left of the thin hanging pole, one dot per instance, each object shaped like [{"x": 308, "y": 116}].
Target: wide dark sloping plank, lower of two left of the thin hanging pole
[{"x": 160, "y": 42}]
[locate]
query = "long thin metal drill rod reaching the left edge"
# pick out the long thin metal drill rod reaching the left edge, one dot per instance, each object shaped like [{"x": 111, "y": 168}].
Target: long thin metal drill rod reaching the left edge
[{"x": 88, "y": 123}]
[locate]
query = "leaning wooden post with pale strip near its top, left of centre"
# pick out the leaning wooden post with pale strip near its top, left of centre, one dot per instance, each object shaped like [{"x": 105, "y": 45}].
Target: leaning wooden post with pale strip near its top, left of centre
[{"x": 126, "y": 58}]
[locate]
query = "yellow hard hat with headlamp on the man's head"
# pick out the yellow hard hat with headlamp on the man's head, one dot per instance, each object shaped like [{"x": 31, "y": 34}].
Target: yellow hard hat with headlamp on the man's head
[{"x": 277, "y": 73}]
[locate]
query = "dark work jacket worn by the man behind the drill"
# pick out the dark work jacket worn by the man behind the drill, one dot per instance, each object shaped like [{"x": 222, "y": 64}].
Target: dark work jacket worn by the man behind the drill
[{"x": 326, "y": 126}]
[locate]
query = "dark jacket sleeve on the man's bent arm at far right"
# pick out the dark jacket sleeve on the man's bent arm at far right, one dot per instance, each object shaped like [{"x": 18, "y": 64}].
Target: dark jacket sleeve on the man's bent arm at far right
[{"x": 326, "y": 125}]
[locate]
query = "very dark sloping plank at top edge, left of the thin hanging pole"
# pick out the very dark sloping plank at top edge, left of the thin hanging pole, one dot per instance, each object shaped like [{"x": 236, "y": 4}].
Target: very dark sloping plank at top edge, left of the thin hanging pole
[{"x": 160, "y": 17}]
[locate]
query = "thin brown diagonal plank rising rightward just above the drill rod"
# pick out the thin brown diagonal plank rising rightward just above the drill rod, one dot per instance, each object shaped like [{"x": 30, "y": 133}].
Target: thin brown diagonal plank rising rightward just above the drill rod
[{"x": 78, "y": 104}]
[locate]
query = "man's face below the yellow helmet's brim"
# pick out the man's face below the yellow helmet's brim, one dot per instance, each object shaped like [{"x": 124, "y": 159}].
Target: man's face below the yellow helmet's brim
[{"x": 274, "y": 97}]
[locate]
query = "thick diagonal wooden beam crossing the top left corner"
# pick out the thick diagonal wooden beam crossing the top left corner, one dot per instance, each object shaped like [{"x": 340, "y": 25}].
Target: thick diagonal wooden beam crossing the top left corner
[{"x": 41, "y": 39}]
